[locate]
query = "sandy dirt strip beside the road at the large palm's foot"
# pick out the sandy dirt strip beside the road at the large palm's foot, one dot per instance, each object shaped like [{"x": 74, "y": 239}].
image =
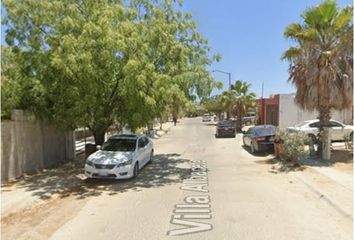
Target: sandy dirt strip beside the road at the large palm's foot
[{"x": 331, "y": 181}]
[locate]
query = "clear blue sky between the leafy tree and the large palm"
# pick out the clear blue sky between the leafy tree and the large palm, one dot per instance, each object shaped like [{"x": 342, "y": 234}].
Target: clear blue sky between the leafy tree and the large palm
[{"x": 249, "y": 36}]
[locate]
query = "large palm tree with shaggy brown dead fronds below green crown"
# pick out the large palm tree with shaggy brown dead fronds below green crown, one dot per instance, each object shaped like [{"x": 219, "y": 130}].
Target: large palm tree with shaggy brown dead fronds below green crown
[{"x": 321, "y": 62}]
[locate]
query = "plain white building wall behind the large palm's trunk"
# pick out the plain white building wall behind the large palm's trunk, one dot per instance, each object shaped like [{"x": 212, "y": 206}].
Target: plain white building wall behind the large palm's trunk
[{"x": 290, "y": 113}]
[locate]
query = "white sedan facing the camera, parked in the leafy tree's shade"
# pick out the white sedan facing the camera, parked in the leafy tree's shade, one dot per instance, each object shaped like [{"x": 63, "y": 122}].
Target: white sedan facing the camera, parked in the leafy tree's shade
[{"x": 120, "y": 157}]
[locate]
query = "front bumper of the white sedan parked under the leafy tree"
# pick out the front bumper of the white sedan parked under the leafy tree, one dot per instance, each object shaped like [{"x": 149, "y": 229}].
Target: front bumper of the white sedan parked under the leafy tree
[{"x": 115, "y": 173}]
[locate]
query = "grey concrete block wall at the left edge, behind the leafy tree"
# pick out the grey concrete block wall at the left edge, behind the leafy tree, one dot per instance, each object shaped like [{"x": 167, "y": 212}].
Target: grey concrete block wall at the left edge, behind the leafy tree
[{"x": 28, "y": 144}]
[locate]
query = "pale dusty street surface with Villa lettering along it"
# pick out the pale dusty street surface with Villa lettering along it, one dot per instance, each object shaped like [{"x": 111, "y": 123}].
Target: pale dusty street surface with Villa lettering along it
[{"x": 198, "y": 187}]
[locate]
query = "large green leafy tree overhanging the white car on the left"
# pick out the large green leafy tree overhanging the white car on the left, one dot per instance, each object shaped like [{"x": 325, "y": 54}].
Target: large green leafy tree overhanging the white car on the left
[{"x": 97, "y": 63}]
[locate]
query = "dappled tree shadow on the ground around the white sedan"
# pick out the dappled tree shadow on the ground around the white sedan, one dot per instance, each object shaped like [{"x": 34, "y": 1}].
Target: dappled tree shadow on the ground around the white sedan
[{"x": 65, "y": 181}]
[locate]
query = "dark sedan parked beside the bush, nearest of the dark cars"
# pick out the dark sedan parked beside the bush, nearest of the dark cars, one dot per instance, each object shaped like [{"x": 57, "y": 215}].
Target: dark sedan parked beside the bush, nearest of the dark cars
[{"x": 259, "y": 138}]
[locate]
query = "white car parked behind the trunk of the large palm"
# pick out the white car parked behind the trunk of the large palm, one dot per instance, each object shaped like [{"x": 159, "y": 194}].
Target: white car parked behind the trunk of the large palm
[{"x": 311, "y": 128}]
